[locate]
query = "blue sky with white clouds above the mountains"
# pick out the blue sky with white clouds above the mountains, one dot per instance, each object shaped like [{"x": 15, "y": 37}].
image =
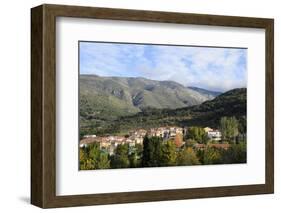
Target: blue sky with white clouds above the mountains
[{"x": 219, "y": 69}]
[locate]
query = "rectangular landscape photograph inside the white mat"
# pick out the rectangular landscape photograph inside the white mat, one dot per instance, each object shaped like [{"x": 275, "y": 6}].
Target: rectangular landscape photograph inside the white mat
[{"x": 160, "y": 105}]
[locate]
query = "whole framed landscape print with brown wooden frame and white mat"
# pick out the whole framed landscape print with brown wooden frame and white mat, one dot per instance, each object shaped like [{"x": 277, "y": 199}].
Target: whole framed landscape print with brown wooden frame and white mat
[{"x": 136, "y": 106}]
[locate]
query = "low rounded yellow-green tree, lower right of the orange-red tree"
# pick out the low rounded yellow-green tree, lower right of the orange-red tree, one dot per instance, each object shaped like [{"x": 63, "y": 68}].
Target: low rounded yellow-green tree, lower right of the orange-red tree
[{"x": 187, "y": 156}]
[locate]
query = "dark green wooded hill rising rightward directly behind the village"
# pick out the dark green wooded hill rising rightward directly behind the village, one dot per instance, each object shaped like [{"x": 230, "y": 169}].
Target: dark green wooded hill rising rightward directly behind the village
[{"x": 231, "y": 103}]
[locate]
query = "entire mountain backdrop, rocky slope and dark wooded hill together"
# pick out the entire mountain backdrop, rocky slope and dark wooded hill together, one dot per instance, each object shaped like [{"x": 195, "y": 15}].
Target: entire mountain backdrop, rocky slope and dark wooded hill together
[{"x": 118, "y": 104}]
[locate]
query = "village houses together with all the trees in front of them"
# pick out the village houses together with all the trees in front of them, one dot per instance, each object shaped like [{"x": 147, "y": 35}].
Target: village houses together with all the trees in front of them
[{"x": 165, "y": 146}]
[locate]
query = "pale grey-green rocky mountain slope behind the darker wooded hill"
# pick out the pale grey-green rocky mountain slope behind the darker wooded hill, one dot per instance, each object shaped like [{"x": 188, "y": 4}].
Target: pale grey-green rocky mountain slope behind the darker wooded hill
[{"x": 107, "y": 98}]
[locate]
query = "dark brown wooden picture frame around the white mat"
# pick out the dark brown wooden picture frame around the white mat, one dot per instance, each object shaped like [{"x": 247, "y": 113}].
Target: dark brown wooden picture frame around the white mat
[{"x": 43, "y": 105}]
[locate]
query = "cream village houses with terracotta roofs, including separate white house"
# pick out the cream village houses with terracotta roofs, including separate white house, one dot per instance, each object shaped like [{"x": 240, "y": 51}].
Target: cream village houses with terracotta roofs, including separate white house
[{"x": 109, "y": 143}]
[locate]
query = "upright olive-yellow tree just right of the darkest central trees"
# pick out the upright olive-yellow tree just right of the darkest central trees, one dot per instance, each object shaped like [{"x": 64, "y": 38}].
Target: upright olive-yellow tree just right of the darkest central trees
[{"x": 168, "y": 155}]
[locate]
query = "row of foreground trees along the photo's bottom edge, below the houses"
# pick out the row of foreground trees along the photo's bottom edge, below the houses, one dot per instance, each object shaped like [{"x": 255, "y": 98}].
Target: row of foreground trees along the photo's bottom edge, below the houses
[{"x": 157, "y": 153}]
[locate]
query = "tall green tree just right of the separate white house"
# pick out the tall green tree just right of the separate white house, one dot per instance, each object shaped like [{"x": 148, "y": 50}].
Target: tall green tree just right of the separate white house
[{"x": 229, "y": 128}]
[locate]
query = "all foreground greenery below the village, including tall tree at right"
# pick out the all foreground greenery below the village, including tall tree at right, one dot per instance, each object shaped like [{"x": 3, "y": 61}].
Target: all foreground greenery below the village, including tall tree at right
[{"x": 180, "y": 151}]
